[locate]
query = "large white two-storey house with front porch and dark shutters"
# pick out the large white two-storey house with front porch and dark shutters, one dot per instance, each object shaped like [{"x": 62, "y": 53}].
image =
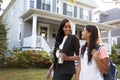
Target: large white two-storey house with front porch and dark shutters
[{"x": 34, "y": 23}]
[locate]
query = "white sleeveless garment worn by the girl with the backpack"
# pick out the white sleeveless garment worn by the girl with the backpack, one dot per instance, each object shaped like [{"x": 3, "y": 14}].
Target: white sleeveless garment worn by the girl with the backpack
[{"x": 89, "y": 71}]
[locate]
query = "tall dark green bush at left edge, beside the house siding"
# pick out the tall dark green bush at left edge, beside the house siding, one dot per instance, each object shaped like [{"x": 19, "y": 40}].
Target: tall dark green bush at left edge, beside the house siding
[{"x": 3, "y": 42}]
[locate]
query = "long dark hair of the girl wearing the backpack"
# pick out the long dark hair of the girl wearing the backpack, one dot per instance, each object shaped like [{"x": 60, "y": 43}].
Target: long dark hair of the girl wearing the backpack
[{"x": 94, "y": 40}]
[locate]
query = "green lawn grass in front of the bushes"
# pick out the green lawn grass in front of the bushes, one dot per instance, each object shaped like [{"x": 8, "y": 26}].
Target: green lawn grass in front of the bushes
[{"x": 28, "y": 74}]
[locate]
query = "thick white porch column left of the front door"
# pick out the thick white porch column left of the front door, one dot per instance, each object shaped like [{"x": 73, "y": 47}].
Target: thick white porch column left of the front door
[{"x": 34, "y": 25}]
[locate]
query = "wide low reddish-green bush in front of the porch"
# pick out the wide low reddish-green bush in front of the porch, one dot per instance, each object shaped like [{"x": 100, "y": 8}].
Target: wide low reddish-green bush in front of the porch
[{"x": 29, "y": 59}]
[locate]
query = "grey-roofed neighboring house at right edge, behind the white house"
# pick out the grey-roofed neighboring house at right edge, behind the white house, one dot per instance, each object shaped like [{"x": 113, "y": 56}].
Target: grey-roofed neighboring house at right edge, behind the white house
[{"x": 111, "y": 17}]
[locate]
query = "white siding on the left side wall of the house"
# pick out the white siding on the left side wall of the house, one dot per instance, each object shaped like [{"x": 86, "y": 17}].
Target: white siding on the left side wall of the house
[{"x": 13, "y": 20}]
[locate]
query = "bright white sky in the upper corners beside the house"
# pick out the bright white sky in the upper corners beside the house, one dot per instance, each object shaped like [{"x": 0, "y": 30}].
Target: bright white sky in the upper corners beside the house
[{"x": 102, "y": 5}]
